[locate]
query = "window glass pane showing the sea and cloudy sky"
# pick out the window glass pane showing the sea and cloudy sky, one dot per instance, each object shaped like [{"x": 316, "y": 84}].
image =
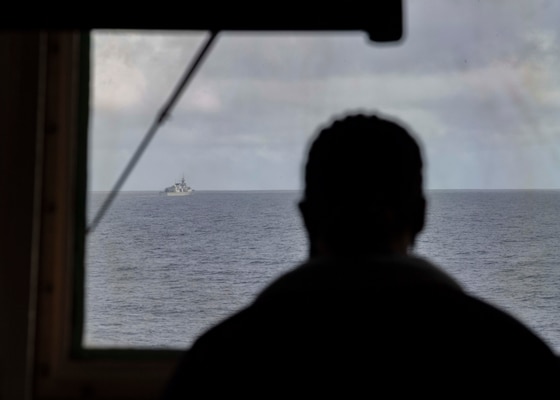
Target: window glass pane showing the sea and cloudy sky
[{"x": 477, "y": 82}]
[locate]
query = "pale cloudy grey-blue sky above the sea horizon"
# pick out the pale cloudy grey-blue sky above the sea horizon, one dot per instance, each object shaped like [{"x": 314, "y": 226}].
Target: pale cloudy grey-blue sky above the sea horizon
[{"x": 477, "y": 83}]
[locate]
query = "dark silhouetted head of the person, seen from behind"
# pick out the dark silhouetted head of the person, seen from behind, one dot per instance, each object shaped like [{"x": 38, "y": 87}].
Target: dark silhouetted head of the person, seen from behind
[{"x": 363, "y": 187}]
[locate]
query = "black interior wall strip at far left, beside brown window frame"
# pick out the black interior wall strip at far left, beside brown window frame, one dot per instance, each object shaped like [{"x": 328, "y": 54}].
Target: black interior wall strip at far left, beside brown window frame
[{"x": 19, "y": 159}]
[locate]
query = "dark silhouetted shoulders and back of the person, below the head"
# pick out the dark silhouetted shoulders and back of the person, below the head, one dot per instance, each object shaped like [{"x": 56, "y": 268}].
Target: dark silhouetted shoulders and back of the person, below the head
[{"x": 408, "y": 333}]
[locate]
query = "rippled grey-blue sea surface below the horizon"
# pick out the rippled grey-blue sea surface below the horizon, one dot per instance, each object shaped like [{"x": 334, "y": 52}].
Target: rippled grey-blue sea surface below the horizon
[{"x": 160, "y": 270}]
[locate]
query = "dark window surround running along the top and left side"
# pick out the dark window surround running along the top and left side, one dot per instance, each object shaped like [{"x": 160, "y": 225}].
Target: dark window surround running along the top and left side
[{"x": 47, "y": 96}]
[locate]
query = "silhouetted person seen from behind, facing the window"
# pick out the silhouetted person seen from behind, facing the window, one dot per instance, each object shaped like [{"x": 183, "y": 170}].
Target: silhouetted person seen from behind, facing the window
[{"x": 362, "y": 316}]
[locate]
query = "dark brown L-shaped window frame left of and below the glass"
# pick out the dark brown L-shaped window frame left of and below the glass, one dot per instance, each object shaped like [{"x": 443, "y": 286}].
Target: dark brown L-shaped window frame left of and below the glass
[{"x": 63, "y": 369}]
